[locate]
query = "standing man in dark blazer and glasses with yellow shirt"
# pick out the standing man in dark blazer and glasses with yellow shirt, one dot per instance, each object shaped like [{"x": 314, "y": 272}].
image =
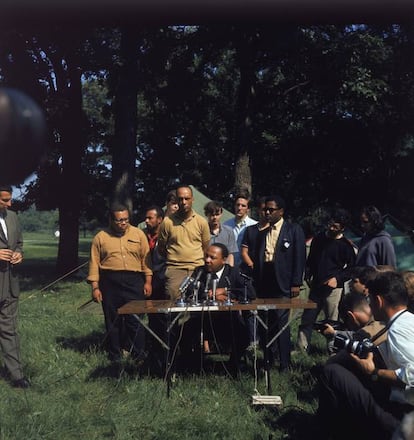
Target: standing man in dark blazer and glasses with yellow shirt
[{"x": 280, "y": 253}]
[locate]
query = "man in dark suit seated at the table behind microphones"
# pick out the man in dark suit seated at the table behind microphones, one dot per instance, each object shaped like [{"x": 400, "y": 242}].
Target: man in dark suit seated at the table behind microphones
[{"x": 226, "y": 329}]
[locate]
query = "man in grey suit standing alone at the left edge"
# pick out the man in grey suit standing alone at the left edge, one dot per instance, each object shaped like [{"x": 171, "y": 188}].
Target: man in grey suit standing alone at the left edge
[{"x": 11, "y": 254}]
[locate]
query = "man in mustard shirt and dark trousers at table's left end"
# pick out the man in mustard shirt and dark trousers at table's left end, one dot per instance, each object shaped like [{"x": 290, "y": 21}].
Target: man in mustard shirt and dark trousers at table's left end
[{"x": 119, "y": 271}]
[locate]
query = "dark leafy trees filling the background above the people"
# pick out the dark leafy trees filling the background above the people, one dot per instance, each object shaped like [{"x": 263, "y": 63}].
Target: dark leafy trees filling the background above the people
[{"x": 321, "y": 114}]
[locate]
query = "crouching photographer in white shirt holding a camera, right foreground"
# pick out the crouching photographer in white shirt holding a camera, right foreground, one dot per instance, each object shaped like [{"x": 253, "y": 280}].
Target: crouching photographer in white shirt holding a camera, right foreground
[{"x": 364, "y": 399}]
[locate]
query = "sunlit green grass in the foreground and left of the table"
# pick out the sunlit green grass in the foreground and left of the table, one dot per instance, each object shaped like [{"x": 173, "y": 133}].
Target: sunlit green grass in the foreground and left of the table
[{"x": 72, "y": 395}]
